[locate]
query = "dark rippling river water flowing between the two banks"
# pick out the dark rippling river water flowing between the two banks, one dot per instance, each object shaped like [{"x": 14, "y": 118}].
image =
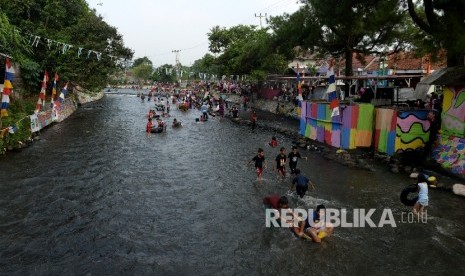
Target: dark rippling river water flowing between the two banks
[{"x": 97, "y": 196}]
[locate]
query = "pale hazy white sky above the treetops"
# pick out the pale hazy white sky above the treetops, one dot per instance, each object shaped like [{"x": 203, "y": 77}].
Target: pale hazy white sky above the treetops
[{"x": 155, "y": 28}]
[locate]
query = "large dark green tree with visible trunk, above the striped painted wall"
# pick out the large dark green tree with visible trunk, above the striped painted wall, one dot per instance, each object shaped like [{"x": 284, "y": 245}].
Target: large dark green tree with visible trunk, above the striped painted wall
[{"x": 341, "y": 28}]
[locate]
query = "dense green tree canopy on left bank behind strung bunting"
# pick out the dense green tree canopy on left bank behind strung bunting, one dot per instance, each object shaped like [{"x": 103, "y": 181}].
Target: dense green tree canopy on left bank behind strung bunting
[{"x": 58, "y": 23}]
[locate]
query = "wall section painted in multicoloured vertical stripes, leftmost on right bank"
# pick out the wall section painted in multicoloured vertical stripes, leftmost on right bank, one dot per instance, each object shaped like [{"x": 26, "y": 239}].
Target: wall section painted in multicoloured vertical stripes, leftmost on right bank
[{"x": 354, "y": 128}]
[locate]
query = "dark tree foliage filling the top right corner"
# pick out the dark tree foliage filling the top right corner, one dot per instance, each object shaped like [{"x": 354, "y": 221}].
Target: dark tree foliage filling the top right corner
[{"x": 443, "y": 27}]
